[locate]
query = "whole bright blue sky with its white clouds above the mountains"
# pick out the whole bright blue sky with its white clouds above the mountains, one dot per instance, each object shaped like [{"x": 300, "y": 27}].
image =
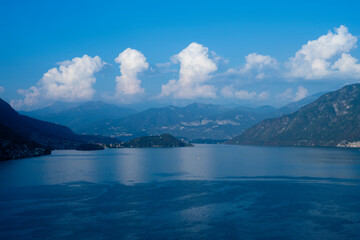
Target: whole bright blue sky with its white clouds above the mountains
[{"x": 40, "y": 35}]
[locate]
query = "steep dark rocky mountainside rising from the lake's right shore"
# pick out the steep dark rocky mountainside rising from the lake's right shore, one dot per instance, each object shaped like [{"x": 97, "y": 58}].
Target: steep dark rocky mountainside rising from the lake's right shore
[{"x": 331, "y": 120}]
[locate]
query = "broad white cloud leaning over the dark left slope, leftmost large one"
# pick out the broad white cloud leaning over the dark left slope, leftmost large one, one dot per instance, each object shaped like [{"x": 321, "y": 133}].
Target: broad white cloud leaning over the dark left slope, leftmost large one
[{"x": 71, "y": 81}]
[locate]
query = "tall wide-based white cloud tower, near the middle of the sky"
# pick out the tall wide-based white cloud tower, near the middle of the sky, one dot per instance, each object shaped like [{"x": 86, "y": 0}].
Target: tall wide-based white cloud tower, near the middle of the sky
[{"x": 195, "y": 69}]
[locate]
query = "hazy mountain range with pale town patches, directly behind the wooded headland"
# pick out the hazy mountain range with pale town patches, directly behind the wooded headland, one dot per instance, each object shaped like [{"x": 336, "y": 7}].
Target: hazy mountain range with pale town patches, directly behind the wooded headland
[{"x": 193, "y": 122}]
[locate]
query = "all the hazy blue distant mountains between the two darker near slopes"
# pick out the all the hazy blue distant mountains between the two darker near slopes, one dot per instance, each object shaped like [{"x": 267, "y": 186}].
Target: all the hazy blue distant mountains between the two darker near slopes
[{"x": 193, "y": 122}]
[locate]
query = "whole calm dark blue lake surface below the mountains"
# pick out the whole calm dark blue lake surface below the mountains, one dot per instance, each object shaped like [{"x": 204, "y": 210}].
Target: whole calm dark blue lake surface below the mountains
[{"x": 203, "y": 192}]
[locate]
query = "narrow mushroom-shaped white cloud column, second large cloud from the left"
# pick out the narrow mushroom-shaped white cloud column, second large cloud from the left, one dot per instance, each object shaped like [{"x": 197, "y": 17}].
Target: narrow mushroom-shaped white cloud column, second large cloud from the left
[{"x": 132, "y": 62}]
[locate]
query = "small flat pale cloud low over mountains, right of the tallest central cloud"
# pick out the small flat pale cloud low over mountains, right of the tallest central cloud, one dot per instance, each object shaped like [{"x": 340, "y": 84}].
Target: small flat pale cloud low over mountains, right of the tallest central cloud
[{"x": 229, "y": 92}]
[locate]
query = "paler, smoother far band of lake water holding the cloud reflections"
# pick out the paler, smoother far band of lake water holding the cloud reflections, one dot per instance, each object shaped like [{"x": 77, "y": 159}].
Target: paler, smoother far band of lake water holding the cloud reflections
[{"x": 202, "y": 162}]
